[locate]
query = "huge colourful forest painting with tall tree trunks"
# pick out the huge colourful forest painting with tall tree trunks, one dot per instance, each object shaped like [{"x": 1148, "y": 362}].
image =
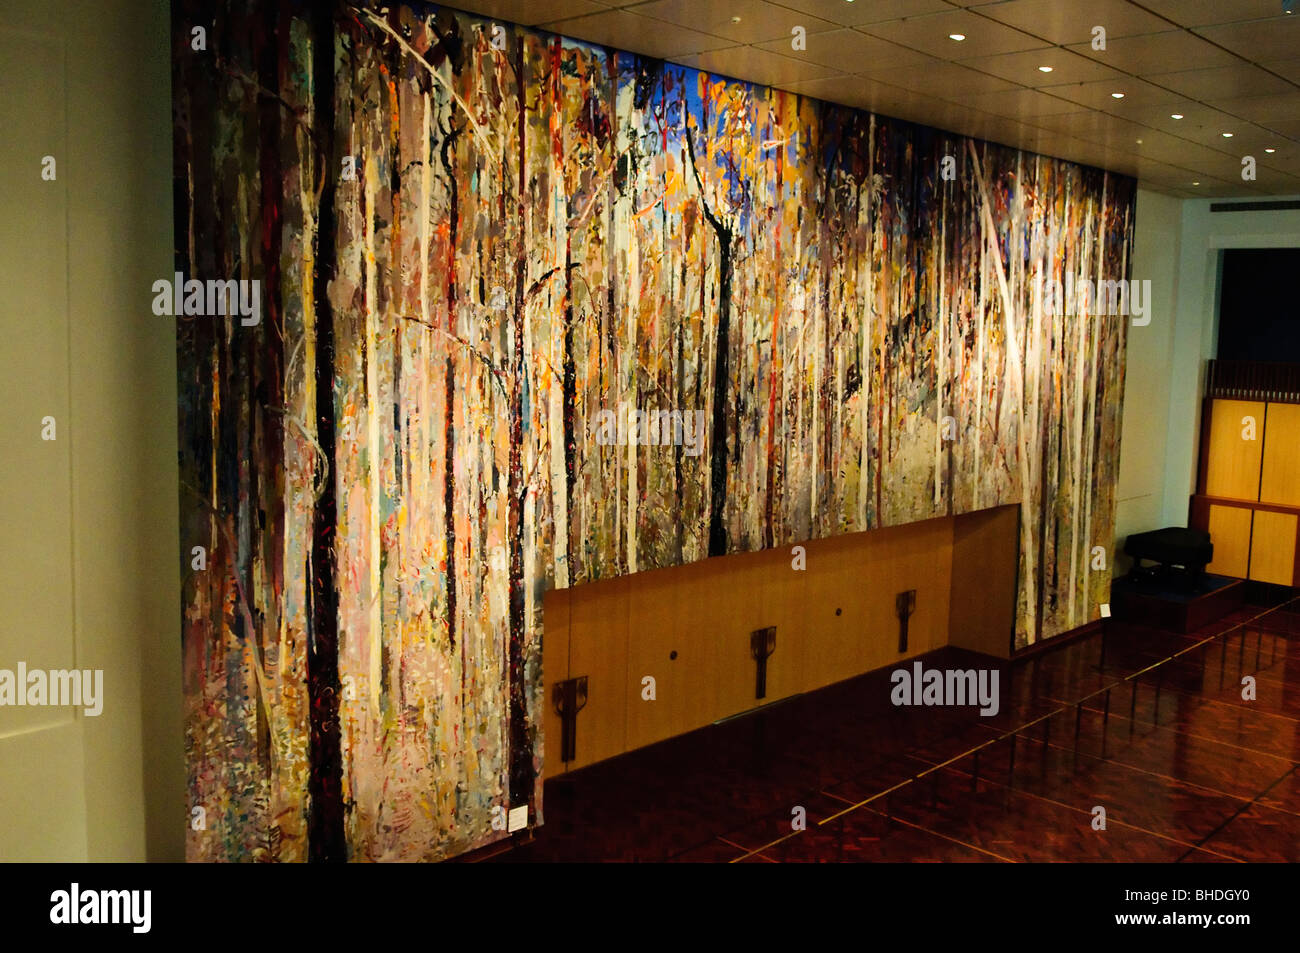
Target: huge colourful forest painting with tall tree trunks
[{"x": 471, "y": 240}]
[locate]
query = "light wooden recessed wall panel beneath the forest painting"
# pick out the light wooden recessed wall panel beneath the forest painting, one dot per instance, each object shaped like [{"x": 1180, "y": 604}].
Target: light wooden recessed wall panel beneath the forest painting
[{"x": 690, "y": 627}]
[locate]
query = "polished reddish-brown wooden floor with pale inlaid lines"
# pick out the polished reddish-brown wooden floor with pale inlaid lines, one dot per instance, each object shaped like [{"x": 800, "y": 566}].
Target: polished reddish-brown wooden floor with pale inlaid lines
[{"x": 1149, "y": 725}]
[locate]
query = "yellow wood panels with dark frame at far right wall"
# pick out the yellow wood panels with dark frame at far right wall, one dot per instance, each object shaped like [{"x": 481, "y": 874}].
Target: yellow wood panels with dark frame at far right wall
[{"x": 1249, "y": 490}]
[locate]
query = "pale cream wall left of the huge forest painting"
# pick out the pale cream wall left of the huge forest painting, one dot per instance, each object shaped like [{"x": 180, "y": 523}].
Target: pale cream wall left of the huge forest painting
[{"x": 89, "y": 532}]
